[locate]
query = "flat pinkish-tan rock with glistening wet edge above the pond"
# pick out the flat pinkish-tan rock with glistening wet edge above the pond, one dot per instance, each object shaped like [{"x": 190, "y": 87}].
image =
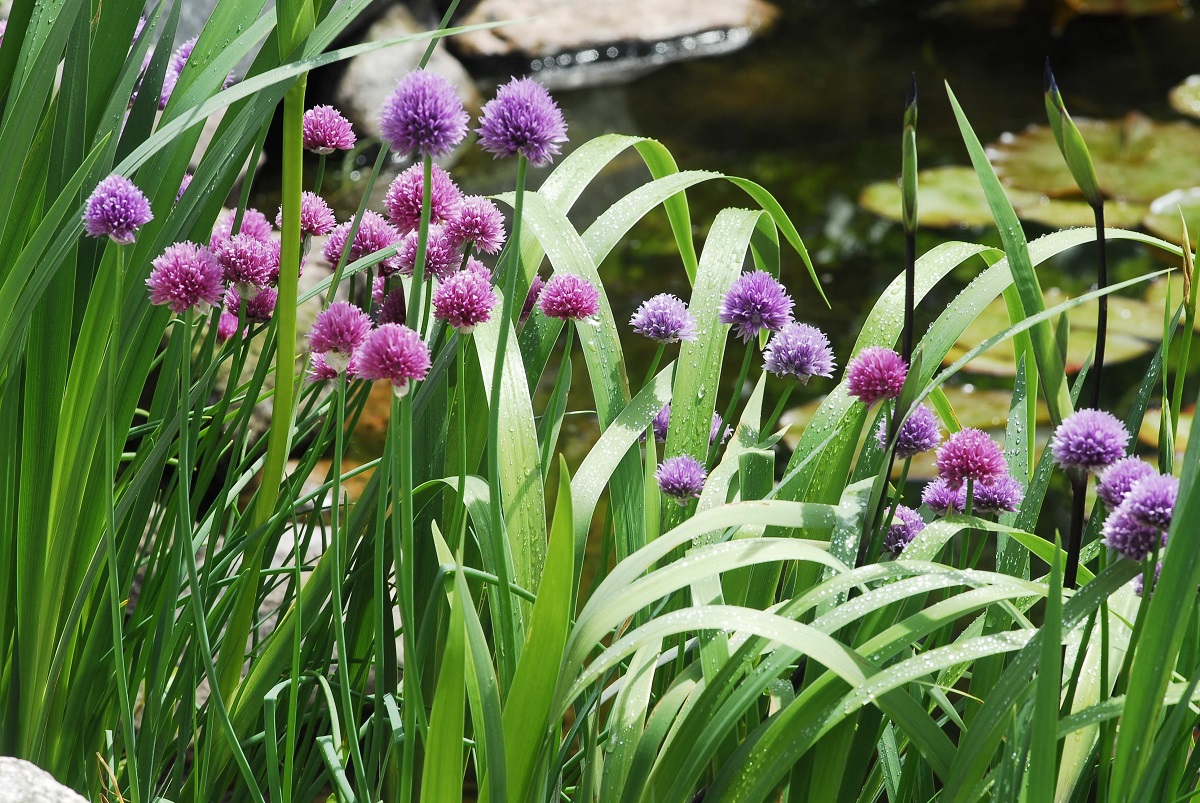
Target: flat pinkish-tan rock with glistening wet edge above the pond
[{"x": 581, "y": 43}]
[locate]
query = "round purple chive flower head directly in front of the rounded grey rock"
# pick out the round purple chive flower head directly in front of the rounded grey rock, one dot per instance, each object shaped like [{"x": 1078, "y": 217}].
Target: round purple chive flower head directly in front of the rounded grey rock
[{"x": 423, "y": 115}]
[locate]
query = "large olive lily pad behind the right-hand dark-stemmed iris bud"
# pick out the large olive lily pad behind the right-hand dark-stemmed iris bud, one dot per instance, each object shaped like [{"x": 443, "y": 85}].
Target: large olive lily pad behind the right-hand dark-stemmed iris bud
[{"x": 1137, "y": 159}]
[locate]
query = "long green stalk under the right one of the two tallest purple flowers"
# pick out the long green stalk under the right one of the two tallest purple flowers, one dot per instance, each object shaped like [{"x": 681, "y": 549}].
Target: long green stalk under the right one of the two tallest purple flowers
[{"x": 507, "y": 646}]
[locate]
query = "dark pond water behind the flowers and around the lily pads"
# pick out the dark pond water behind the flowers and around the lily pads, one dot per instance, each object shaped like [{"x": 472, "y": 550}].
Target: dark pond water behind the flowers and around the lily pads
[{"x": 813, "y": 112}]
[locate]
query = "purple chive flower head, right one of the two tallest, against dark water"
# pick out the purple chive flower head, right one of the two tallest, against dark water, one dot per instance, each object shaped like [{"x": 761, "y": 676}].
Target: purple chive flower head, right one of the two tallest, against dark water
[{"x": 523, "y": 119}]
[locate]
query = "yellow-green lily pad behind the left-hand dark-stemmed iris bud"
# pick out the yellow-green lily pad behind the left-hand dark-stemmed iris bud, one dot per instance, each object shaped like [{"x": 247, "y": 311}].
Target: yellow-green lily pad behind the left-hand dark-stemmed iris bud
[{"x": 946, "y": 197}]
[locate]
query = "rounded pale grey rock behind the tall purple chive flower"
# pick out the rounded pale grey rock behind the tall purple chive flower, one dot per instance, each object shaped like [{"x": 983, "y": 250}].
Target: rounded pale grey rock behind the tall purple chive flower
[{"x": 371, "y": 77}]
